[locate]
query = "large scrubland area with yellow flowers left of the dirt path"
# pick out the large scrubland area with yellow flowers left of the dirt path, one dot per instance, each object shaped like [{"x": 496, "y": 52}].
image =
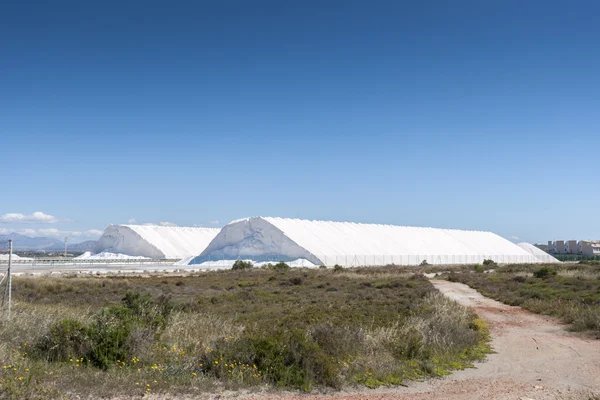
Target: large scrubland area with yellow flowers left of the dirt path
[{"x": 244, "y": 328}]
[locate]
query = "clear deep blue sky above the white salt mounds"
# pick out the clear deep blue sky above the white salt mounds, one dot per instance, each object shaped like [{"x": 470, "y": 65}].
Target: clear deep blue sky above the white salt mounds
[{"x": 465, "y": 114}]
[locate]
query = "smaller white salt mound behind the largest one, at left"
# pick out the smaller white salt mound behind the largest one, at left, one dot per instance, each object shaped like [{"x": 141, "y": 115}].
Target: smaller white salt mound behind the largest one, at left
[{"x": 155, "y": 241}]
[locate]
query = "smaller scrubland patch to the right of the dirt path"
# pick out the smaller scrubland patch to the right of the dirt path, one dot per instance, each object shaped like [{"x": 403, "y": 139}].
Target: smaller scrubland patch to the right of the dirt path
[{"x": 568, "y": 291}]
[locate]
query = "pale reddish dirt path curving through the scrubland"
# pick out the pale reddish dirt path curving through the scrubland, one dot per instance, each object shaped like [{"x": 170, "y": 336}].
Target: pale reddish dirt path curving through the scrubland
[{"x": 536, "y": 359}]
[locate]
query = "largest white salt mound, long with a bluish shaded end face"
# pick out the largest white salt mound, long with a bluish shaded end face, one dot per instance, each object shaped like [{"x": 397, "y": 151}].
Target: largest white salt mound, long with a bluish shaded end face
[{"x": 352, "y": 244}]
